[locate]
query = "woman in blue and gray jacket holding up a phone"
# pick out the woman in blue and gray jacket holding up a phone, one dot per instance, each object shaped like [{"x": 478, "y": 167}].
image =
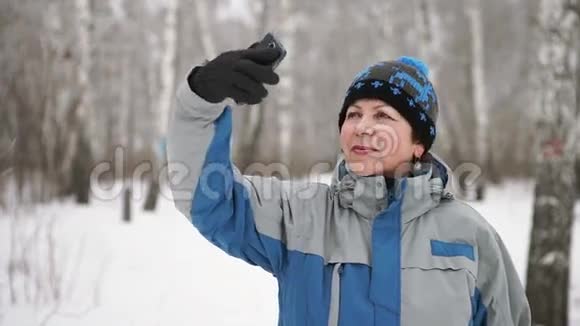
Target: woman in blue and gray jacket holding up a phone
[{"x": 384, "y": 244}]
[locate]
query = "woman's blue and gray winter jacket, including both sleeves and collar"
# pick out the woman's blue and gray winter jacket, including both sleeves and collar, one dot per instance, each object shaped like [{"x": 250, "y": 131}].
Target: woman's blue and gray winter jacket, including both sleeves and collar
[{"x": 355, "y": 252}]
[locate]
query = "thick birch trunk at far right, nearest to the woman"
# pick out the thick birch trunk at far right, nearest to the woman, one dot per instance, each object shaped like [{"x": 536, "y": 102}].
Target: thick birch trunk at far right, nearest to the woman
[{"x": 549, "y": 256}]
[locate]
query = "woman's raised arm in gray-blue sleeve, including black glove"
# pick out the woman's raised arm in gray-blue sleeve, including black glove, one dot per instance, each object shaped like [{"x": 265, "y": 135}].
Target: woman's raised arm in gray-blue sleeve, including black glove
[{"x": 247, "y": 217}]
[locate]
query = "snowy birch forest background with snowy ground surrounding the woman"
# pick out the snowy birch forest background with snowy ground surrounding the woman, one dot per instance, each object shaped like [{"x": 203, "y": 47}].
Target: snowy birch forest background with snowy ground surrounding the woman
[{"x": 87, "y": 88}]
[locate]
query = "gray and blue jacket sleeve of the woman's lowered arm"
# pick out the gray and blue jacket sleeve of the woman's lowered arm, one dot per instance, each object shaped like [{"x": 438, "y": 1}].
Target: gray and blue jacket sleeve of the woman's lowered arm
[{"x": 500, "y": 299}]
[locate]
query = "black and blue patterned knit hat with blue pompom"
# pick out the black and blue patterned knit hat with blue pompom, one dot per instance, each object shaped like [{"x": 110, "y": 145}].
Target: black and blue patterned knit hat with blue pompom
[{"x": 403, "y": 84}]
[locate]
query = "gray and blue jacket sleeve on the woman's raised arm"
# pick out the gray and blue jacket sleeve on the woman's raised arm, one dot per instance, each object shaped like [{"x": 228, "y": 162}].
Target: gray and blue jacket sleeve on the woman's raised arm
[{"x": 242, "y": 215}]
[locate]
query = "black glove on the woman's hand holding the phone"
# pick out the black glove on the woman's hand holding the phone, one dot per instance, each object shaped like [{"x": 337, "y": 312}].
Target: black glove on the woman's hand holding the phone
[{"x": 239, "y": 75}]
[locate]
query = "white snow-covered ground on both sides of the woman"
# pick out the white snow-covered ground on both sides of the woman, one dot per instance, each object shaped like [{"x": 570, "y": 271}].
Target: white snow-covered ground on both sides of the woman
[{"x": 158, "y": 270}]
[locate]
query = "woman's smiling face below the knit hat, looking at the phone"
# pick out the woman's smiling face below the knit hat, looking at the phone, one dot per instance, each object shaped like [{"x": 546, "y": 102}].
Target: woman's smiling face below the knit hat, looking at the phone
[{"x": 377, "y": 140}]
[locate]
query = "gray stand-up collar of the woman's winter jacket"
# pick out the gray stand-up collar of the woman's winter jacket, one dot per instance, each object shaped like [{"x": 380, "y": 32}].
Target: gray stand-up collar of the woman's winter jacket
[{"x": 370, "y": 195}]
